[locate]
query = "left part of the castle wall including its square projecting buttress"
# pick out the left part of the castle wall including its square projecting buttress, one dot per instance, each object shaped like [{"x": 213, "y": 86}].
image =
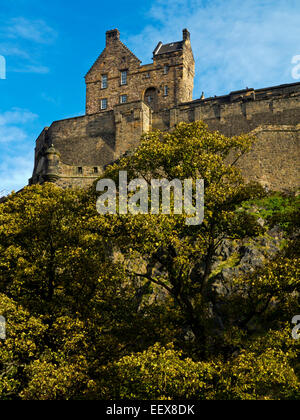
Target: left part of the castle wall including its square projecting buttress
[{"x": 85, "y": 145}]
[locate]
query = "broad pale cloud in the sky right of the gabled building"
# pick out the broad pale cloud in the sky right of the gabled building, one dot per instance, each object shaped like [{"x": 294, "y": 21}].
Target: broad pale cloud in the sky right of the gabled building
[{"x": 236, "y": 44}]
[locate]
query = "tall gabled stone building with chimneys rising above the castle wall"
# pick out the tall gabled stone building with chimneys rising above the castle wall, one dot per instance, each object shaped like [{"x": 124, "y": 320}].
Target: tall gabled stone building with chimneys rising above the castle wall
[{"x": 117, "y": 77}]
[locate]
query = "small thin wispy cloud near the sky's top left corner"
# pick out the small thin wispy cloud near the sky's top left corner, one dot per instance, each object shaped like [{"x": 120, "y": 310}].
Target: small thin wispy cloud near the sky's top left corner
[{"x": 31, "y": 30}]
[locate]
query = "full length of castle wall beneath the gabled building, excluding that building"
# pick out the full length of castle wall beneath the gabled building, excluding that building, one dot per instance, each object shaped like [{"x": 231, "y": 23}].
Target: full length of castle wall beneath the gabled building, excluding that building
[{"x": 273, "y": 115}]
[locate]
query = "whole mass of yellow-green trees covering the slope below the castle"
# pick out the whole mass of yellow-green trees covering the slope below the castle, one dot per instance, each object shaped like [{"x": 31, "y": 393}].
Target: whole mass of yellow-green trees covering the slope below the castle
[{"x": 87, "y": 296}]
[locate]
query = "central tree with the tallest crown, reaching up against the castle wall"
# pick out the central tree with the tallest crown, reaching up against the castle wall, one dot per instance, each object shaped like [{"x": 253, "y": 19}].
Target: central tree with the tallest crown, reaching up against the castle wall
[{"x": 163, "y": 249}]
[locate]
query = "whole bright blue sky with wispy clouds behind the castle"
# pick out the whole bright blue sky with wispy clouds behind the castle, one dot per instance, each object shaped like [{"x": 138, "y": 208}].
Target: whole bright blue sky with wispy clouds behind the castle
[{"x": 50, "y": 46}]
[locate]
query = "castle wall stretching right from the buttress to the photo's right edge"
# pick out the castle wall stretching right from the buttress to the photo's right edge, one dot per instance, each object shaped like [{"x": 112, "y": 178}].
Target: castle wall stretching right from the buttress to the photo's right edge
[{"x": 273, "y": 116}]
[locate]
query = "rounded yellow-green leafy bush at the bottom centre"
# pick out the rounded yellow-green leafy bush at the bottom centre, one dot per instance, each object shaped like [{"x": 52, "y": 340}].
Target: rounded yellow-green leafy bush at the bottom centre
[{"x": 158, "y": 373}]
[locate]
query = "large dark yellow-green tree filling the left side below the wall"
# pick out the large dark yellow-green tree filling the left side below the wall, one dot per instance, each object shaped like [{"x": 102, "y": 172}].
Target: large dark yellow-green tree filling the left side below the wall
[{"x": 69, "y": 306}]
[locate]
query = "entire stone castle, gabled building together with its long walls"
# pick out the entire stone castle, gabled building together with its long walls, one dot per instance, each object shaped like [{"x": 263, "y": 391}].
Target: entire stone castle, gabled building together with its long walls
[{"x": 125, "y": 99}]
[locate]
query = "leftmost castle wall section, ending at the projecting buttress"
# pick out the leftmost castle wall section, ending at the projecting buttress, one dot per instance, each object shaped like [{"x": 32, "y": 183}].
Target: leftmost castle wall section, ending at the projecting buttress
[{"x": 84, "y": 145}]
